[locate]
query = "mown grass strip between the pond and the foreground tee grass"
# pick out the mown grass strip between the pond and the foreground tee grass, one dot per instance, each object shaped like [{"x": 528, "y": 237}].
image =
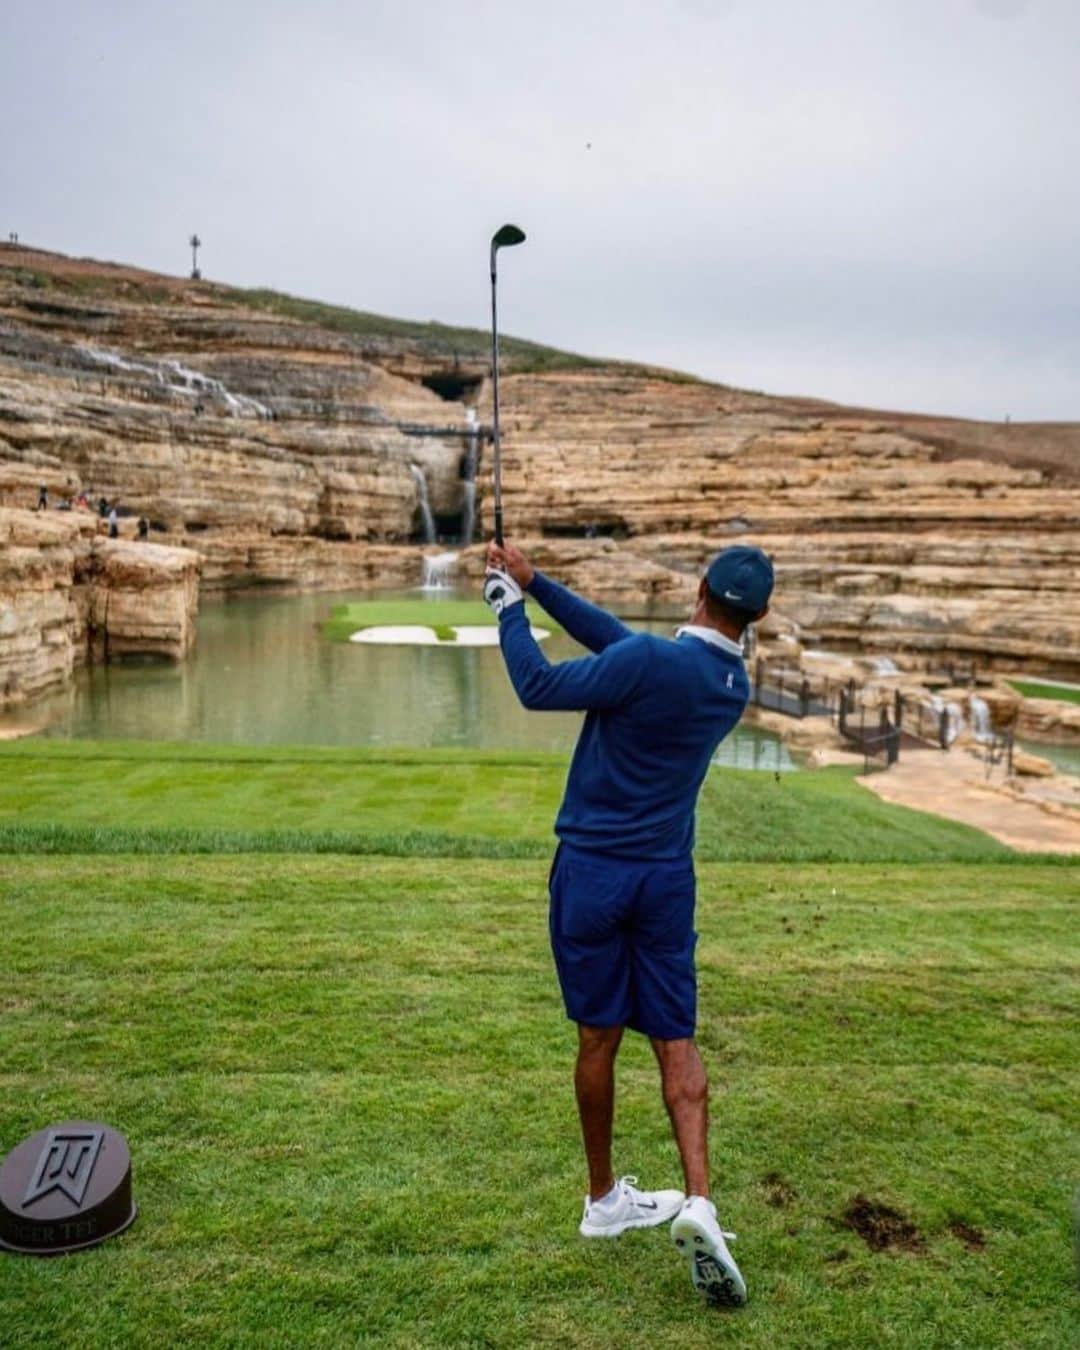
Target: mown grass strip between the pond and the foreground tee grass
[{"x": 129, "y": 797}]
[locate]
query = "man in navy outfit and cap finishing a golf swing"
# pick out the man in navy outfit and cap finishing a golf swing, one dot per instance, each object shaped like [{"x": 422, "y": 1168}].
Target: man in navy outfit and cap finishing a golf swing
[{"x": 623, "y": 880}]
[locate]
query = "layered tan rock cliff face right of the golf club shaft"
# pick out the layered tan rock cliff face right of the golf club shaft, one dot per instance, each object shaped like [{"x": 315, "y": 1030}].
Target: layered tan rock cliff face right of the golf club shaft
[{"x": 886, "y": 535}]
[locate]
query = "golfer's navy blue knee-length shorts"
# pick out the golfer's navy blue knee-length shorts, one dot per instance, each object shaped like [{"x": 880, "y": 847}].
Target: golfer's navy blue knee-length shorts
[{"x": 623, "y": 936}]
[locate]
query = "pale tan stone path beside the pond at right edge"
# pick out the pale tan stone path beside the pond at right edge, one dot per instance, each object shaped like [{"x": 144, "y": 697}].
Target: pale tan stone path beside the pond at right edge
[{"x": 955, "y": 786}]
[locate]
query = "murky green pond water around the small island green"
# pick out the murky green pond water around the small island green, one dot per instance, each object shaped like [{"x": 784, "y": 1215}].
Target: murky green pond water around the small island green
[{"x": 263, "y": 673}]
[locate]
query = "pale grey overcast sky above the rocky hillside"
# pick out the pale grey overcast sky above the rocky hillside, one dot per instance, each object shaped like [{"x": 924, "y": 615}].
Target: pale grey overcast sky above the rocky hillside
[{"x": 875, "y": 202}]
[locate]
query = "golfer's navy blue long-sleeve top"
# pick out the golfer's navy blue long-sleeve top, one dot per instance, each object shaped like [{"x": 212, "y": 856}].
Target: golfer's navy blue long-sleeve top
[{"x": 655, "y": 712}]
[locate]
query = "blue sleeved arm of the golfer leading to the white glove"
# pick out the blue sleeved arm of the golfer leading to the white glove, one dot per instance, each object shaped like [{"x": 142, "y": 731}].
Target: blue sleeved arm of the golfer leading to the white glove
[{"x": 592, "y": 682}]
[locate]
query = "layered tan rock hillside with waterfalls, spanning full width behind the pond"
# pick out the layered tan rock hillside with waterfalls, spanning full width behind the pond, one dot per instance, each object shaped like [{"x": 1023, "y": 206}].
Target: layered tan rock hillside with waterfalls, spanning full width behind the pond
[{"x": 295, "y": 445}]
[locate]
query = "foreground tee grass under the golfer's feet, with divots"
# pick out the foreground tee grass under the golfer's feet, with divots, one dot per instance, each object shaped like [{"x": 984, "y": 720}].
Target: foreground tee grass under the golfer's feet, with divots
[{"x": 346, "y": 1086}]
